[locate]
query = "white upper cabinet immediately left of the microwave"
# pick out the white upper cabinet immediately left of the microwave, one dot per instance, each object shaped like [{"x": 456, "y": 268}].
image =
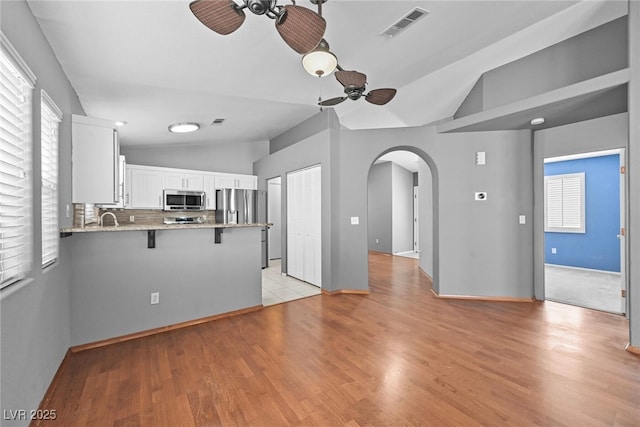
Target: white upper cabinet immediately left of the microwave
[{"x": 144, "y": 187}]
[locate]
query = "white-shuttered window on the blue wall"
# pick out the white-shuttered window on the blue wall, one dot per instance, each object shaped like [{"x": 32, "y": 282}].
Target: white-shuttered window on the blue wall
[{"x": 564, "y": 203}]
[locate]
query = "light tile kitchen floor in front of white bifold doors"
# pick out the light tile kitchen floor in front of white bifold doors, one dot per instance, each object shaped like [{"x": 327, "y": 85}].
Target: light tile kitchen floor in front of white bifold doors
[{"x": 278, "y": 288}]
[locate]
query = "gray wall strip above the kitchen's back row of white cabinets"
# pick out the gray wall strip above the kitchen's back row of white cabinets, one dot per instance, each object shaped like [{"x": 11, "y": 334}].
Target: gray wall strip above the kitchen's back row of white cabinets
[{"x": 230, "y": 158}]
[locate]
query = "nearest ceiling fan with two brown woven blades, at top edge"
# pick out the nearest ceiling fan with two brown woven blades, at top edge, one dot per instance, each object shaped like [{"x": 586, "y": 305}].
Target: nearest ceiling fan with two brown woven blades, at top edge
[{"x": 301, "y": 28}]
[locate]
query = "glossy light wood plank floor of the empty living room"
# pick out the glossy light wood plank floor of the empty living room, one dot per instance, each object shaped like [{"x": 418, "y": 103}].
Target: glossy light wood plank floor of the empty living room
[{"x": 396, "y": 357}]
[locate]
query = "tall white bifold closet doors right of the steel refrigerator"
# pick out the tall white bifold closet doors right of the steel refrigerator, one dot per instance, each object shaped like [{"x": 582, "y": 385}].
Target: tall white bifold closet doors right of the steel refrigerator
[{"x": 304, "y": 243}]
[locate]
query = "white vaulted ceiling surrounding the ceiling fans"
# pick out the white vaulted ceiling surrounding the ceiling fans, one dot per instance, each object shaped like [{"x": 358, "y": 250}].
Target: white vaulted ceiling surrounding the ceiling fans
[{"x": 152, "y": 63}]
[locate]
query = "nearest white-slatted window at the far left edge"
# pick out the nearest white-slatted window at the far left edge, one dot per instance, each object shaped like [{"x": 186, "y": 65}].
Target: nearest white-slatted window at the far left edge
[{"x": 16, "y": 87}]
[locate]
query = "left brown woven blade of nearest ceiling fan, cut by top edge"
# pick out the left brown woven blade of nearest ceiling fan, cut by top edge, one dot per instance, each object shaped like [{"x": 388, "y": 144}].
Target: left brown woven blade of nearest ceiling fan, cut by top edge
[{"x": 221, "y": 16}]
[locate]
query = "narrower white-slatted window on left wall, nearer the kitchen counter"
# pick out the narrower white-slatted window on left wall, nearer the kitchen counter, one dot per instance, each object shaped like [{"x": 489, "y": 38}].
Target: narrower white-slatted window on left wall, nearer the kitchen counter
[{"x": 51, "y": 116}]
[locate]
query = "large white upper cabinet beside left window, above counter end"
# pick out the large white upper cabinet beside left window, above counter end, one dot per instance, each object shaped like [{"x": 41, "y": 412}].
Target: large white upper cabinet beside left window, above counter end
[{"x": 95, "y": 160}]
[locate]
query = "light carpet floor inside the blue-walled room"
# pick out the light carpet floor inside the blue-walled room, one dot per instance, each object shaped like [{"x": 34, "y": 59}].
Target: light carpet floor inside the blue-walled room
[{"x": 599, "y": 290}]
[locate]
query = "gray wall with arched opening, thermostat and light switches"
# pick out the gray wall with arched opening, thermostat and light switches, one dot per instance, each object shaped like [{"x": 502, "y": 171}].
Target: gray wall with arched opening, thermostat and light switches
[{"x": 463, "y": 228}]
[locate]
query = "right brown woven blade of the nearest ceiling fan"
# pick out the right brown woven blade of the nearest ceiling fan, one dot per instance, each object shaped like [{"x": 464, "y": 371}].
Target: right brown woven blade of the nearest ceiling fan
[{"x": 301, "y": 28}]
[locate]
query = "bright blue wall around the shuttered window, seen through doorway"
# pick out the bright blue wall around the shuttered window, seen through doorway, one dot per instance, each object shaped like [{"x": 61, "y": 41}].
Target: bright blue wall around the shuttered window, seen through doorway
[{"x": 599, "y": 247}]
